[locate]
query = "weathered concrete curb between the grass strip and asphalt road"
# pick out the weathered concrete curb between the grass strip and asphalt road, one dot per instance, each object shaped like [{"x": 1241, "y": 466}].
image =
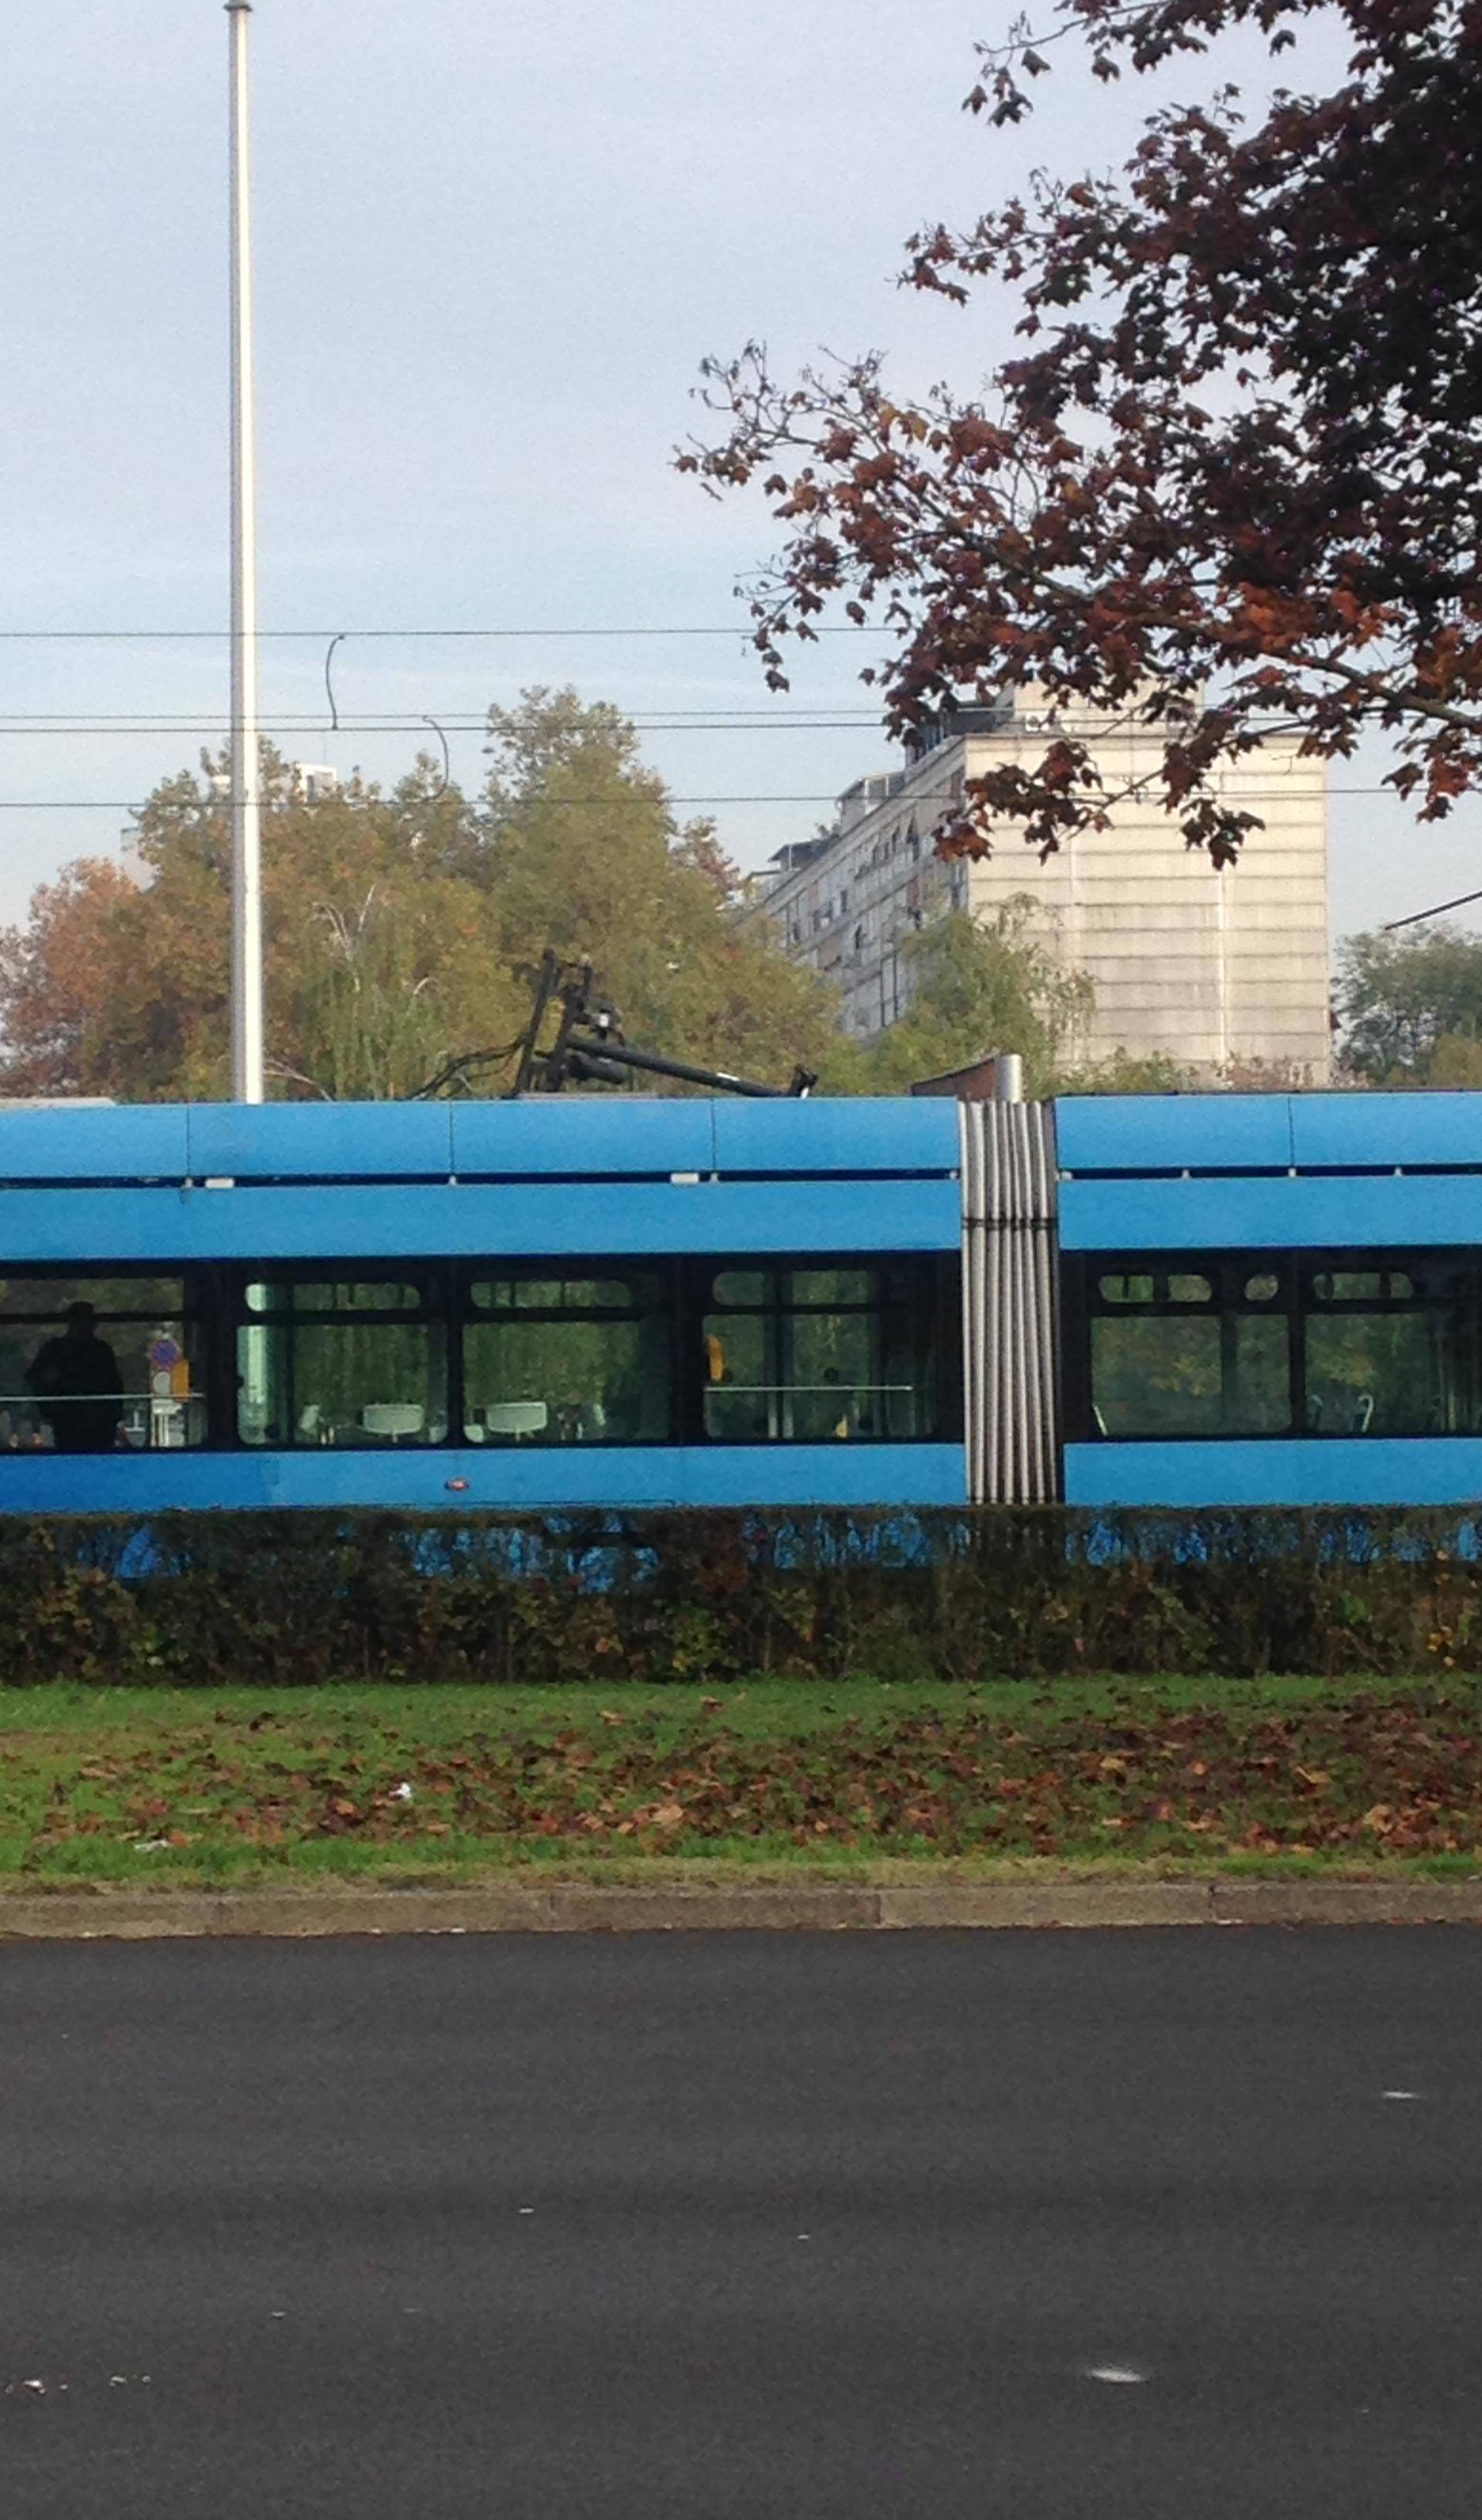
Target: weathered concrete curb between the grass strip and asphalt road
[{"x": 84, "y": 1916}]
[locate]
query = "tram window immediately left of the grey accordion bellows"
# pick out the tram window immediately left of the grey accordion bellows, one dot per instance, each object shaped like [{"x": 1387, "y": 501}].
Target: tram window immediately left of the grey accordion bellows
[{"x": 820, "y": 1354}]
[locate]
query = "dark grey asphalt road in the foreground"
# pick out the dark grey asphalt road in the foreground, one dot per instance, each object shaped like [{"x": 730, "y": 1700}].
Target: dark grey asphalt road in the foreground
[{"x": 745, "y": 2226}]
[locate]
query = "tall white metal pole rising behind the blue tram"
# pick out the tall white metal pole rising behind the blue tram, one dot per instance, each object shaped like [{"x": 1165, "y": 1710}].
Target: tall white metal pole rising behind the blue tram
[{"x": 246, "y": 755}]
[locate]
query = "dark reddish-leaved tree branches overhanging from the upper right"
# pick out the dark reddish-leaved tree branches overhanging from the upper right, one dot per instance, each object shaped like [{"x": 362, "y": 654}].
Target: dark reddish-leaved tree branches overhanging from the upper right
[{"x": 1234, "y": 480}]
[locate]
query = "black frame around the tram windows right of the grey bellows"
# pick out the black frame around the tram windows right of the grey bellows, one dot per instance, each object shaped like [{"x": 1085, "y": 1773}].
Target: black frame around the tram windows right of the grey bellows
[{"x": 1297, "y": 1276}]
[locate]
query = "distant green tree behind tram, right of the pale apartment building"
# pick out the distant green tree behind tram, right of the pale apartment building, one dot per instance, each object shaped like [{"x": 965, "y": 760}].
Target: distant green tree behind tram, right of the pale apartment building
[{"x": 1413, "y": 1009}]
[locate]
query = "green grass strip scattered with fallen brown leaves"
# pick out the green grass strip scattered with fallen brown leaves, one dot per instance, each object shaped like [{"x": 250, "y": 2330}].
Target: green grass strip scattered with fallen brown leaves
[{"x": 372, "y": 1783}]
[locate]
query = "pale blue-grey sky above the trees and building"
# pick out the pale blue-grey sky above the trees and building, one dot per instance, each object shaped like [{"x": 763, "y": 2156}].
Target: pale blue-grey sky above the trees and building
[{"x": 493, "y": 243}]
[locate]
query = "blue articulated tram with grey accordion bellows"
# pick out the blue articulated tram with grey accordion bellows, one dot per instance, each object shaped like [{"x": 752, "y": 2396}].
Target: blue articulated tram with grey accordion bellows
[{"x": 626, "y": 1302}]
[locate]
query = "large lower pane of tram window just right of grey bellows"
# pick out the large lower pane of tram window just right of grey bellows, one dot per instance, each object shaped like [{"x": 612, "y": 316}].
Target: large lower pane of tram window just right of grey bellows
[{"x": 1163, "y": 1375}]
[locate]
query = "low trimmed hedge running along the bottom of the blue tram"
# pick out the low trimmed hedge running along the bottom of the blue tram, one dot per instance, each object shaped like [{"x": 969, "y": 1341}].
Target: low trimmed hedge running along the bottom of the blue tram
[{"x": 1037, "y": 1594}]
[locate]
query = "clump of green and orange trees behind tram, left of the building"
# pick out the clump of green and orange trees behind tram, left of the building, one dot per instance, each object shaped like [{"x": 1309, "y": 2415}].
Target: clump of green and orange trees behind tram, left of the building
[{"x": 405, "y": 929}]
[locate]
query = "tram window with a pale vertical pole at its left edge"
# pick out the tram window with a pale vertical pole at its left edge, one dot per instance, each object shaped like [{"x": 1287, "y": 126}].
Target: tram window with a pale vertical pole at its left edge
[{"x": 342, "y": 1362}]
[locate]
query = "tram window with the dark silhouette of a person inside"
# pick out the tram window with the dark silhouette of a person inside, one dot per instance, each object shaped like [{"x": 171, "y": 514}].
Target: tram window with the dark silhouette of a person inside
[{"x": 100, "y": 1365}]
